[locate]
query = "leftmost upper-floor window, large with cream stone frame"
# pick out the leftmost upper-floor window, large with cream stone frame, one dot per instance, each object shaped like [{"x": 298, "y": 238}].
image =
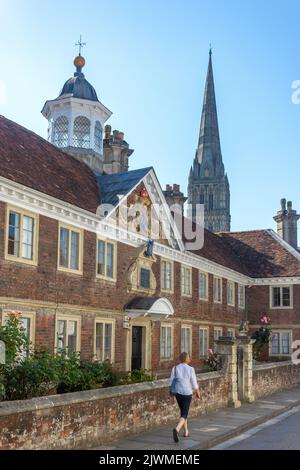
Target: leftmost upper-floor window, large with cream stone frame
[{"x": 21, "y": 236}]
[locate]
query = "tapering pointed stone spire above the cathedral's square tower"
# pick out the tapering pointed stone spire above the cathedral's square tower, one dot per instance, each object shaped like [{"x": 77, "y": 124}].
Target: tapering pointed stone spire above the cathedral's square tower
[{"x": 209, "y": 148}]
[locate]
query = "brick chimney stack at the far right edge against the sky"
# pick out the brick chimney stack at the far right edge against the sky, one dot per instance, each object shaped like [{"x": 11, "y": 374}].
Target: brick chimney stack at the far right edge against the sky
[{"x": 286, "y": 220}]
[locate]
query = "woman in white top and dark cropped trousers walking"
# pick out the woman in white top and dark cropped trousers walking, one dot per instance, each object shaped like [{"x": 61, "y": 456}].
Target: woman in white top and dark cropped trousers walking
[{"x": 185, "y": 383}]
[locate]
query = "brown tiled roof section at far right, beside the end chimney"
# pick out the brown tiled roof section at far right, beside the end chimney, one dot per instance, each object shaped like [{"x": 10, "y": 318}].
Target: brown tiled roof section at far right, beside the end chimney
[{"x": 262, "y": 254}]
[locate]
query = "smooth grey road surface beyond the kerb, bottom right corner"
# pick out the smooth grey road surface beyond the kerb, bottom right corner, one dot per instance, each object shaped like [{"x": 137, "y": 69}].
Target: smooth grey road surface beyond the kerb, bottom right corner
[{"x": 281, "y": 433}]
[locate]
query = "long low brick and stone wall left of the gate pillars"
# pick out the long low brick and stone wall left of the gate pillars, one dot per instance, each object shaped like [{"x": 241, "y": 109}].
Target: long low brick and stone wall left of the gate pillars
[{"x": 91, "y": 418}]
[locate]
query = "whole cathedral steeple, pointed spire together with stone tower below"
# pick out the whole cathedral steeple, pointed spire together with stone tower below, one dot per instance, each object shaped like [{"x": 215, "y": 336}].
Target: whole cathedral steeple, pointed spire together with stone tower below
[{"x": 208, "y": 183}]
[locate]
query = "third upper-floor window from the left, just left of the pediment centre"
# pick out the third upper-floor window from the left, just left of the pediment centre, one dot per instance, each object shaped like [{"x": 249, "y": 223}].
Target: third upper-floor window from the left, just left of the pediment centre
[{"x": 106, "y": 259}]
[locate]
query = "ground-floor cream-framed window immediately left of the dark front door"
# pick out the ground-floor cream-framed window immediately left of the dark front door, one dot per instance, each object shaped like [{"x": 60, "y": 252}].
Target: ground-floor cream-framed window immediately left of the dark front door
[{"x": 104, "y": 343}]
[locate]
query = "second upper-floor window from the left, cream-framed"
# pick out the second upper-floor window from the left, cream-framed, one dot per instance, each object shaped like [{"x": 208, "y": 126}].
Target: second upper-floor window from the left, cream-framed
[{"x": 70, "y": 242}]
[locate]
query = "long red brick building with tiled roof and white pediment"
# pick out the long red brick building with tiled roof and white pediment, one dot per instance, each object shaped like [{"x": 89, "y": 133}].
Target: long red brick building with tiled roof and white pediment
[{"x": 85, "y": 284}]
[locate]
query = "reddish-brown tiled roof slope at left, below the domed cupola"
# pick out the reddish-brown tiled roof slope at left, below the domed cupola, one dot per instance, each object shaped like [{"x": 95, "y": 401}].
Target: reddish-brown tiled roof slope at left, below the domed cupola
[{"x": 31, "y": 161}]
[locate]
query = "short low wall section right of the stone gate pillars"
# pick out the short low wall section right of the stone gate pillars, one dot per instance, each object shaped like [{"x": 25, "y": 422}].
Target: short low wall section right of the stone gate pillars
[{"x": 271, "y": 378}]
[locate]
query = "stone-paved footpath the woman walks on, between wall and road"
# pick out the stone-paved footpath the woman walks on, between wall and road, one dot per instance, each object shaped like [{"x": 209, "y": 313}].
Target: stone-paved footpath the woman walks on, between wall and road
[{"x": 213, "y": 428}]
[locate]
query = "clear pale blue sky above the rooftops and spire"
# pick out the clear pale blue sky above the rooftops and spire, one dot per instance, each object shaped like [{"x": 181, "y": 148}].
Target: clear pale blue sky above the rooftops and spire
[{"x": 147, "y": 60}]
